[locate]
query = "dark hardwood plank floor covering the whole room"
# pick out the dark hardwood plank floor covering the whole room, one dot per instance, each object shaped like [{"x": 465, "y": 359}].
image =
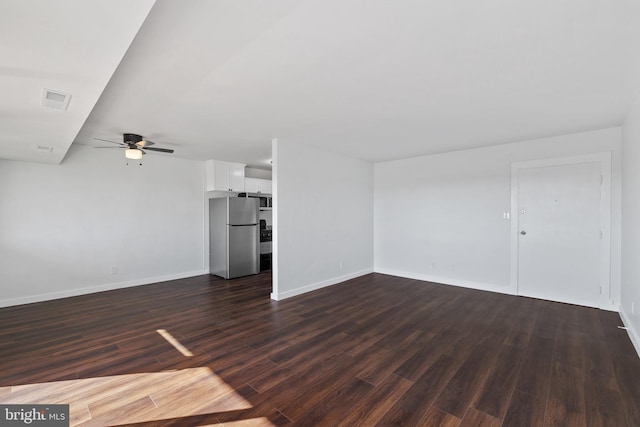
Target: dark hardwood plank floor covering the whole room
[{"x": 376, "y": 350}]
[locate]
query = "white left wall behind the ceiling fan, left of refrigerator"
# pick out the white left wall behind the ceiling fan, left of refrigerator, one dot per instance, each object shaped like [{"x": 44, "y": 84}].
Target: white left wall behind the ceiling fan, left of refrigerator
[{"x": 64, "y": 227}]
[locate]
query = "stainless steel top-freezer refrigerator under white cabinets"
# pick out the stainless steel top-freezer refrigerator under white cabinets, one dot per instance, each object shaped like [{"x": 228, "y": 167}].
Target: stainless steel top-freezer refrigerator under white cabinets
[{"x": 234, "y": 237}]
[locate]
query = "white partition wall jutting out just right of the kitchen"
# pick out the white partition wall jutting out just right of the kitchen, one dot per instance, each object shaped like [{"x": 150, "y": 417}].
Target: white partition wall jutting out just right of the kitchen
[{"x": 323, "y": 220}]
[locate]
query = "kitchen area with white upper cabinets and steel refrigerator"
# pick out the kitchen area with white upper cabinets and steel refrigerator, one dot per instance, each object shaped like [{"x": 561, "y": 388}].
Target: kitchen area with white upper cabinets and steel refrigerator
[{"x": 240, "y": 219}]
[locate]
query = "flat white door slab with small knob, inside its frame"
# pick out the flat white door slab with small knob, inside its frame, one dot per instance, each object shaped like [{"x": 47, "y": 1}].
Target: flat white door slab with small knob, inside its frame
[{"x": 559, "y": 233}]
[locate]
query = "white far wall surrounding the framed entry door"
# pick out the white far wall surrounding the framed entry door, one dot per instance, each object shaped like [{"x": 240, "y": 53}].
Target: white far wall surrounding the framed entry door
[{"x": 440, "y": 217}]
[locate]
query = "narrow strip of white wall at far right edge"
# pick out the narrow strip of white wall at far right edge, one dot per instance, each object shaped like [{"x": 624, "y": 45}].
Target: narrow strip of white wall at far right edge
[{"x": 630, "y": 308}]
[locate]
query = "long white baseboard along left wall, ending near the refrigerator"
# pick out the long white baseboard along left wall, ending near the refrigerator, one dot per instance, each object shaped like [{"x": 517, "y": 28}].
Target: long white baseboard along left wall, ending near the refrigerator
[{"x": 99, "y": 288}]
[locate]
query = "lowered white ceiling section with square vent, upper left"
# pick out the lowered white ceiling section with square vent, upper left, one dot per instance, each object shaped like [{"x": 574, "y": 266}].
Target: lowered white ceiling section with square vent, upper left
[{"x": 70, "y": 46}]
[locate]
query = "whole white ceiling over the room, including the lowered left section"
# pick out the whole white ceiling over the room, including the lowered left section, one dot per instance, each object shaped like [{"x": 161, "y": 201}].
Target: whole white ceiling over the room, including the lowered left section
[{"x": 373, "y": 79}]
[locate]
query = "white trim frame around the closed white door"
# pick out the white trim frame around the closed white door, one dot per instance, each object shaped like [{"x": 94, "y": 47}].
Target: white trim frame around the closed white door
[{"x": 604, "y": 159}]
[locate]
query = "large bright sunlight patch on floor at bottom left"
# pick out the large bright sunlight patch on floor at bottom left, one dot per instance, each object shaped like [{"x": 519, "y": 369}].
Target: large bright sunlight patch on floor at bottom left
[{"x": 136, "y": 398}]
